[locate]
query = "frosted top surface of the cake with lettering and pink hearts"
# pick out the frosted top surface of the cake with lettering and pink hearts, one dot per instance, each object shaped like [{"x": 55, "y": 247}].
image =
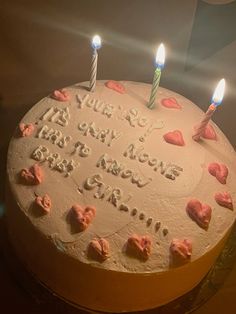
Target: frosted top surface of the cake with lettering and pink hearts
[{"x": 108, "y": 174}]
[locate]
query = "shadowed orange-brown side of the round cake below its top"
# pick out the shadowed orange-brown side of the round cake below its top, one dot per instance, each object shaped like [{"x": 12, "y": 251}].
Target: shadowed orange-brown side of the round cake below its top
[{"x": 90, "y": 287}]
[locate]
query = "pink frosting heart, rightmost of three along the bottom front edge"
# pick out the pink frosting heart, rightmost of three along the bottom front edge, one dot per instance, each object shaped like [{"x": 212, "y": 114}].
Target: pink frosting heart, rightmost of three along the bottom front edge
[{"x": 181, "y": 249}]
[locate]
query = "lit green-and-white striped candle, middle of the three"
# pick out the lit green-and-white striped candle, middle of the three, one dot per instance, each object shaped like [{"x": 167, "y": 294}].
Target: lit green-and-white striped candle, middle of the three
[{"x": 160, "y": 61}]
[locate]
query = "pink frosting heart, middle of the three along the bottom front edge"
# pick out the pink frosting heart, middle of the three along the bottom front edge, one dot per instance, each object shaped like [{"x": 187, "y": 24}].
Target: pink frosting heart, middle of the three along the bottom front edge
[{"x": 140, "y": 245}]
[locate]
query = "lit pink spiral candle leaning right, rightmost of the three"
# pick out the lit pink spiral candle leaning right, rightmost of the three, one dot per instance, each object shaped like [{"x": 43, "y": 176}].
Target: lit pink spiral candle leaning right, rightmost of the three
[{"x": 215, "y": 102}]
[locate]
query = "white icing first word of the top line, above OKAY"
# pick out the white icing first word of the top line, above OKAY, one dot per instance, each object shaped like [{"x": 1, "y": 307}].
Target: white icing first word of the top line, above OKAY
[{"x": 95, "y": 104}]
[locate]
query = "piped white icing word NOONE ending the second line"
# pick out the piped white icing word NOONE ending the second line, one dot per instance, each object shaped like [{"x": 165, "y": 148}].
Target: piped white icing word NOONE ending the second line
[{"x": 167, "y": 169}]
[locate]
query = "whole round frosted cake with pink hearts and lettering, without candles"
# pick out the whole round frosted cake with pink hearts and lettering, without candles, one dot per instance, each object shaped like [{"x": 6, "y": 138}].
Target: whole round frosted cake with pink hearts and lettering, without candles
[{"x": 113, "y": 206}]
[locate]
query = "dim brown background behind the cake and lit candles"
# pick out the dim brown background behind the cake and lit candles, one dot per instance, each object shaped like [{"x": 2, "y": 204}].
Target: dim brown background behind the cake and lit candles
[{"x": 45, "y": 45}]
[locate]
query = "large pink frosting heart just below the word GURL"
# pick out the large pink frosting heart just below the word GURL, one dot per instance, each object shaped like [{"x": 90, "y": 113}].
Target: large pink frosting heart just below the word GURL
[{"x": 83, "y": 216}]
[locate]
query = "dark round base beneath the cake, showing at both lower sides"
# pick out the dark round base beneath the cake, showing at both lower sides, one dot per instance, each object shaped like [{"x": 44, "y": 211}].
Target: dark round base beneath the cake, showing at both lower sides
[{"x": 189, "y": 302}]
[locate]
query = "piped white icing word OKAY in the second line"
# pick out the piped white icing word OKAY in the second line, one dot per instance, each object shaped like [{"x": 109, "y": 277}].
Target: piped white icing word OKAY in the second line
[{"x": 106, "y": 136}]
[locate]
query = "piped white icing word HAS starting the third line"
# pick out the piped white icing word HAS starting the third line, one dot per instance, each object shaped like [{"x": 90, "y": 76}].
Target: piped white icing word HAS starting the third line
[{"x": 54, "y": 136}]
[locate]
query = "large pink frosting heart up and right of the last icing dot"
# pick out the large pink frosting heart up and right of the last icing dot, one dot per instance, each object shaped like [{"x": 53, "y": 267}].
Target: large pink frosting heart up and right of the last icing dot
[{"x": 200, "y": 213}]
